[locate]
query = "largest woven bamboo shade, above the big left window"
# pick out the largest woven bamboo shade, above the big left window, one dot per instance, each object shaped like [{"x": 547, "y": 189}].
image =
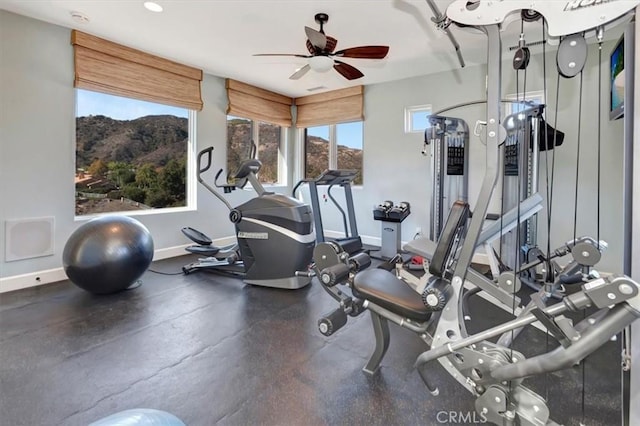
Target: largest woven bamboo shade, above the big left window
[{"x": 108, "y": 67}]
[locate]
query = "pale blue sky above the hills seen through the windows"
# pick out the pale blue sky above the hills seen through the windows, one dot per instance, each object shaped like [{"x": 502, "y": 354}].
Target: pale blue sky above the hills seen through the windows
[{"x": 119, "y": 108}]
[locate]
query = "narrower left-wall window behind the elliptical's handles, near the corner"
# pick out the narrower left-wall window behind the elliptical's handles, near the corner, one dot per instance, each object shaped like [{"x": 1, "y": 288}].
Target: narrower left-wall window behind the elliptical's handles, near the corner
[{"x": 268, "y": 140}]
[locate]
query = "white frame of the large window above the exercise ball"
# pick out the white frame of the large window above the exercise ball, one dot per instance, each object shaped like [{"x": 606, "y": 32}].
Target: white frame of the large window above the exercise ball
[{"x": 190, "y": 172}]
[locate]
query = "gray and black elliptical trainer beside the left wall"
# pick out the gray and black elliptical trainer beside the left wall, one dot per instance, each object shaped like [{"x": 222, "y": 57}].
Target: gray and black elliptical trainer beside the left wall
[{"x": 274, "y": 232}]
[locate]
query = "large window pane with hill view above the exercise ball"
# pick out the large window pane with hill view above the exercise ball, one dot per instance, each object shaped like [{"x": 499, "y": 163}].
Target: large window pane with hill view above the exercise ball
[{"x": 130, "y": 154}]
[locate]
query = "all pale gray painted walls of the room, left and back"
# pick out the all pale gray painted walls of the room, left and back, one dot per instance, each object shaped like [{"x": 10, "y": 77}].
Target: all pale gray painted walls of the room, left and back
[{"x": 37, "y": 147}]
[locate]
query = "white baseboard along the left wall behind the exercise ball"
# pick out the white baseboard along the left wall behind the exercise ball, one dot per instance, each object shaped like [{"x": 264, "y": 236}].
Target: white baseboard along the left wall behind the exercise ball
[{"x": 49, "y": 276}]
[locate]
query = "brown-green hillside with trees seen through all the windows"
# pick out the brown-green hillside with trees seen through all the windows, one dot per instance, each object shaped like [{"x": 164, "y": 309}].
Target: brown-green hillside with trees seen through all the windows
[{"x": 140, "y": 164}]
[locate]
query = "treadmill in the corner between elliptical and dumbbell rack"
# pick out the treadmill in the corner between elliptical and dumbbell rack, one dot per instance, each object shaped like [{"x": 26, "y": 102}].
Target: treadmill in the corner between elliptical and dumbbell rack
[{"x": 351, "y": 242}]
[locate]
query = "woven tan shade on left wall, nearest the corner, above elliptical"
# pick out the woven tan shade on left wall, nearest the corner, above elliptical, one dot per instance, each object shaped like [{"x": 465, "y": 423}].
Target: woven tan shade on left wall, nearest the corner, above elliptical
[{"x": 251, "y": 102}]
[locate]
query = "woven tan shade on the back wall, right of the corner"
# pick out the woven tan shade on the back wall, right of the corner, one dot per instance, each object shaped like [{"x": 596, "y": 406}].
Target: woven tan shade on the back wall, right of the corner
[{"x": 338, "y": 106}]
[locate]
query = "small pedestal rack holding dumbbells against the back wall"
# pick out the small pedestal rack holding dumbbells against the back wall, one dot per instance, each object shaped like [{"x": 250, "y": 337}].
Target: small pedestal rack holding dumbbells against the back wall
[{"x": 390, "y": 218}]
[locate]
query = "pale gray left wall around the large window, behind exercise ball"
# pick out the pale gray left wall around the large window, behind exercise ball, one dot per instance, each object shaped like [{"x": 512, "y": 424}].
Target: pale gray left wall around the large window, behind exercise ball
[{"x": 37, "y": 122}]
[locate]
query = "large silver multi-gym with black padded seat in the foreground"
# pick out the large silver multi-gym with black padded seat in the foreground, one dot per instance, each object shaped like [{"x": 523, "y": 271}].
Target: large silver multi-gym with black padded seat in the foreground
[{"x": 493, "y": 372}]
